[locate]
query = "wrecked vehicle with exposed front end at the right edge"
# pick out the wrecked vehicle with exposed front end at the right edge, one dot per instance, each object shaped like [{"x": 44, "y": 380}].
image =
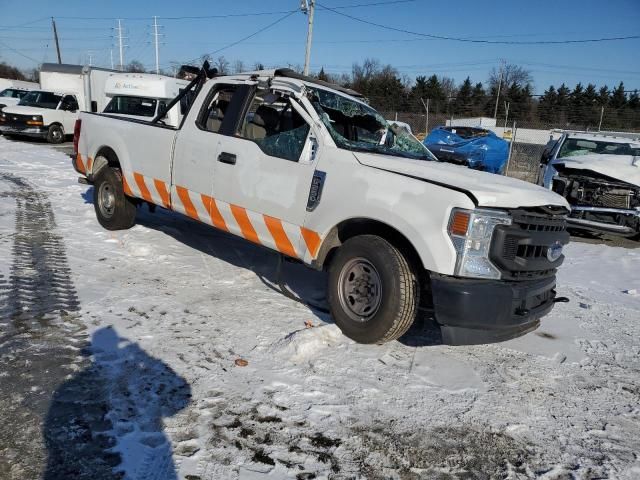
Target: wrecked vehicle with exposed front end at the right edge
[{"x": 599, "y": 175}]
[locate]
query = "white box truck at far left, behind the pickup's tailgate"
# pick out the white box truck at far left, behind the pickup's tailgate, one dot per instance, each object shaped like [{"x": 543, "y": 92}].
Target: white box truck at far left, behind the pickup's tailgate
[{"x": 50, "y": 113}]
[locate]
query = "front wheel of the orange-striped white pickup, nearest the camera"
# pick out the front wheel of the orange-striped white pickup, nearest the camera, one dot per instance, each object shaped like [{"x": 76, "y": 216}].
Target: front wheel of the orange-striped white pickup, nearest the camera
[{"x": 372, "y": 291}]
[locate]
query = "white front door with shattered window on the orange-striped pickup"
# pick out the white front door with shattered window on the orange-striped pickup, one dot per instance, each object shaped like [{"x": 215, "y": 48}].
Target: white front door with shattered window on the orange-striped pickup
[{"x": 264, "y": 172}]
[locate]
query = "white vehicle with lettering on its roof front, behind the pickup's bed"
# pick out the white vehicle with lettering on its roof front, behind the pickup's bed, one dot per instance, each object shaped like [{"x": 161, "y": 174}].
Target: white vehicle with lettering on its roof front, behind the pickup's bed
[{"x": 143, "y": 96}]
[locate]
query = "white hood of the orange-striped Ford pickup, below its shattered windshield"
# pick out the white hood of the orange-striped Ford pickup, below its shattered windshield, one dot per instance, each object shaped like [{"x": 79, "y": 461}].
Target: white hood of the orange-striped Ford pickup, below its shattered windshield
[{"x": 489, "y": 190}]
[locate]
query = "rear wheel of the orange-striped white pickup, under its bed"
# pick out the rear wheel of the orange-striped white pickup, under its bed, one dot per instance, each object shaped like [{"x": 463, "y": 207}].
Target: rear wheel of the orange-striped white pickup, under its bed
[{"x": 114, "y": 210}]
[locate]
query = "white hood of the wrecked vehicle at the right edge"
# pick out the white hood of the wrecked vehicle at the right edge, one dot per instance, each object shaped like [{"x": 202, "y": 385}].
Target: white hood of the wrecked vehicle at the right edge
[{"x": 625, "y": 168}]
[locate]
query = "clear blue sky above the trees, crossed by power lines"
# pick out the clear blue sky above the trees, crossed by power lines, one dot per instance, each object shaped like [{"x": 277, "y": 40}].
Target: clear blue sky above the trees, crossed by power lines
[{"x": 340, "y": 41}]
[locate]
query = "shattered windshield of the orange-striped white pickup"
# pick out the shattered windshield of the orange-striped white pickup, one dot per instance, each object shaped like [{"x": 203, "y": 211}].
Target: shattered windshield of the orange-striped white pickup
[{"x": 356, "y": 126}]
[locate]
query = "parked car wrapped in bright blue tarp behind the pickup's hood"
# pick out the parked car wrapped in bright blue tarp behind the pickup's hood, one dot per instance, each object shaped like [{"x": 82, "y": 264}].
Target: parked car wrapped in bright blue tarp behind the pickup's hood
[{"x": 474, "y": 147}]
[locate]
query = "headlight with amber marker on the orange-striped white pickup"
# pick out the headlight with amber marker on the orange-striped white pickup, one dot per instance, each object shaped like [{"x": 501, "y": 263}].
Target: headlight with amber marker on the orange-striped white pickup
[{"x": 471, "y": 232}]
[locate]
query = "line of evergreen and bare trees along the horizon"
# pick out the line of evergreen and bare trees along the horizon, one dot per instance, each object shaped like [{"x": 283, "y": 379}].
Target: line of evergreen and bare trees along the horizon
[{"x": 580, "y": 107}]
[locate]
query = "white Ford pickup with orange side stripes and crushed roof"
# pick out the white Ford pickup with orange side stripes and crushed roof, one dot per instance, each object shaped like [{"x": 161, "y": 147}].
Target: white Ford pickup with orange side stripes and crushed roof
[{"x": 309, "y": 170}]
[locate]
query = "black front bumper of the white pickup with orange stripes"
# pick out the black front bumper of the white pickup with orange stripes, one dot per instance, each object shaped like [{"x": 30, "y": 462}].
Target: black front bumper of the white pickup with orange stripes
[{"x": 472, "y": 311}]
